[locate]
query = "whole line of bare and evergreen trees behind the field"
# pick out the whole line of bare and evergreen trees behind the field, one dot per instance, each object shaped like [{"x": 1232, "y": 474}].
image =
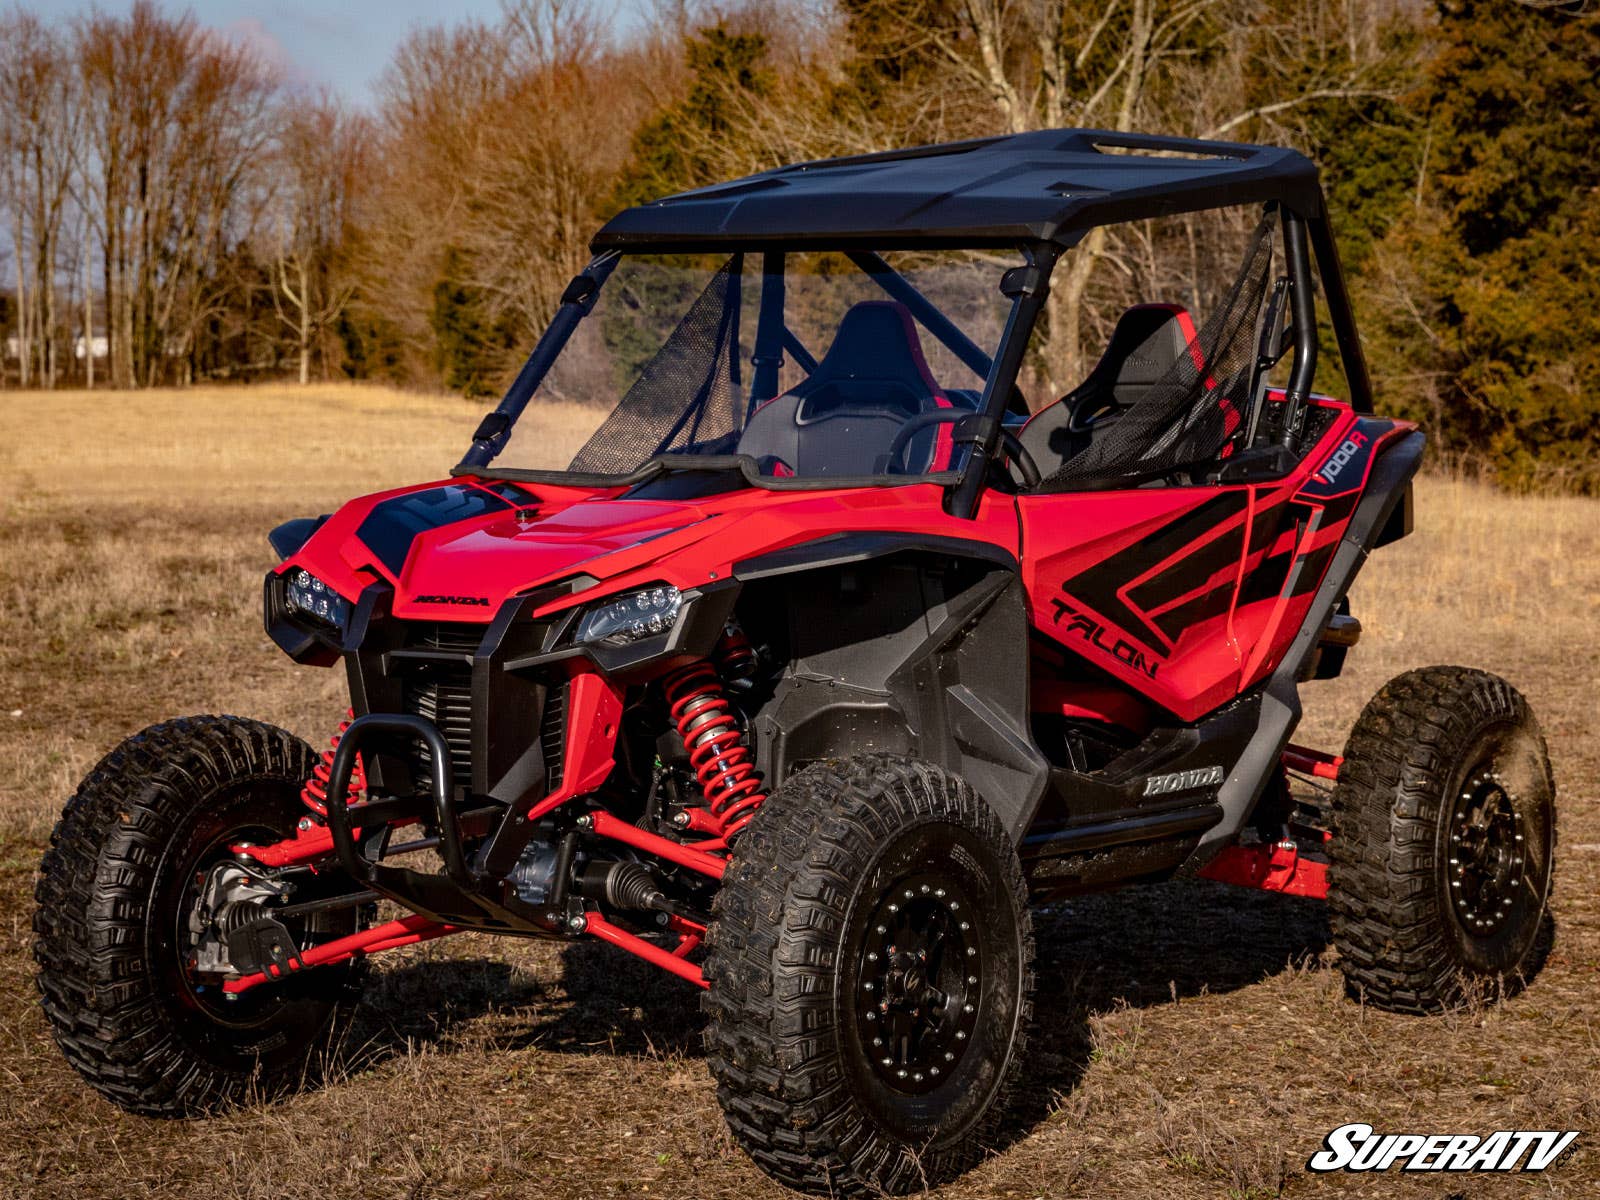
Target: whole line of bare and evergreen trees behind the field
[{"x": 174, "y": 202}]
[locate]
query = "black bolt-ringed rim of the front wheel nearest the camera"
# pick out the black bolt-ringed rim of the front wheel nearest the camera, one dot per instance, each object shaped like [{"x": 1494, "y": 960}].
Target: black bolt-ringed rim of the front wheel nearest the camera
[{"x": 919, "y": 991}]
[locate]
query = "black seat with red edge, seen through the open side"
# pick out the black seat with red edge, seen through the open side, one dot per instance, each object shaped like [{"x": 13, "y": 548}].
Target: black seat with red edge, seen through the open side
[{"x": 1145, "y": 346}]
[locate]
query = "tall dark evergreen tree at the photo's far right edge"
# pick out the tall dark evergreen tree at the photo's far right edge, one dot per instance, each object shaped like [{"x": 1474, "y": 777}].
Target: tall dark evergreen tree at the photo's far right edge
[{"x": 1510, "y": 255}]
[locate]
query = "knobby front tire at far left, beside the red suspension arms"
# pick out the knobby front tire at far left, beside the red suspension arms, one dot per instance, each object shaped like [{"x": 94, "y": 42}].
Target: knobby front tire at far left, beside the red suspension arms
[{"x": 114, "y": 895}]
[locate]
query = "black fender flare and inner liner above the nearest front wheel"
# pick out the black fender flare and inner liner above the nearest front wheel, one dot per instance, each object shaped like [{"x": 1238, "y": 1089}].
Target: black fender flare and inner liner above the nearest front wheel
[{"x": 905, "y": 644}]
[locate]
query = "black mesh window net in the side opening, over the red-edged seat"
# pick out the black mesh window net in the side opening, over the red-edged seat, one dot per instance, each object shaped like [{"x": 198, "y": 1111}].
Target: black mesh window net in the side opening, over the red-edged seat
[{"x": 1194, "y": 409}]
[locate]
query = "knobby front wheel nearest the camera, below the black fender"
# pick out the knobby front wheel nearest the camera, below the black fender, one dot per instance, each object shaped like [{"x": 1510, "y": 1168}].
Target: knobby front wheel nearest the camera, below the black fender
[{"x": 873, "y": 898}]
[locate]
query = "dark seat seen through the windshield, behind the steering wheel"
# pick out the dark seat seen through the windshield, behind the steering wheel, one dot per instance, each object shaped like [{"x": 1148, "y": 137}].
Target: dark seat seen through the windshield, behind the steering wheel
[{"x": 842, "y": 418}]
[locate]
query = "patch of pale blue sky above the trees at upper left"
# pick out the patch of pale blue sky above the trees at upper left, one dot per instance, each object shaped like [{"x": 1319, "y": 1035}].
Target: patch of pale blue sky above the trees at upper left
[{"x": 343, "y": 44}]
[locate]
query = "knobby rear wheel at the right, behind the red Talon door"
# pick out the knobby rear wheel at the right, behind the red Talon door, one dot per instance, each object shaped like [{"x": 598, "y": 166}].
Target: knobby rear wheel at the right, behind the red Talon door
[{"x": 1444, "y": 828}]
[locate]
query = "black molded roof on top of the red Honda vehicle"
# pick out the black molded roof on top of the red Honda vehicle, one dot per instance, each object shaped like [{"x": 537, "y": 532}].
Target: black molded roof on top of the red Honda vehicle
[{"x": 999, "y": 191}]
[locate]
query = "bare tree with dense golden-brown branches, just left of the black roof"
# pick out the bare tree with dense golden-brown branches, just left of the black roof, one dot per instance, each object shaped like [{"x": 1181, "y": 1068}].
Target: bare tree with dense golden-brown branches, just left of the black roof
[{"x": 497, "y": 146}]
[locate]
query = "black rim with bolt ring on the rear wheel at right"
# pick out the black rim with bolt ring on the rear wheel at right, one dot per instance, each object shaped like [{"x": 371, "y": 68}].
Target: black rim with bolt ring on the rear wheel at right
[{"x": 1486, "y": 855}]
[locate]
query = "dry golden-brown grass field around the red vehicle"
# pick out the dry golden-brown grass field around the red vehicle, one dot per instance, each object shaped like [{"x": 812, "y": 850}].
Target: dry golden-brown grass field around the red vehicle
[{"x": 1193, "y": 1042}]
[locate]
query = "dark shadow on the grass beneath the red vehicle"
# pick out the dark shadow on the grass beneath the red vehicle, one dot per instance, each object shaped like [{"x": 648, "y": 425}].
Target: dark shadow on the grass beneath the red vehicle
[{"x": 1137, "y": 948}]
